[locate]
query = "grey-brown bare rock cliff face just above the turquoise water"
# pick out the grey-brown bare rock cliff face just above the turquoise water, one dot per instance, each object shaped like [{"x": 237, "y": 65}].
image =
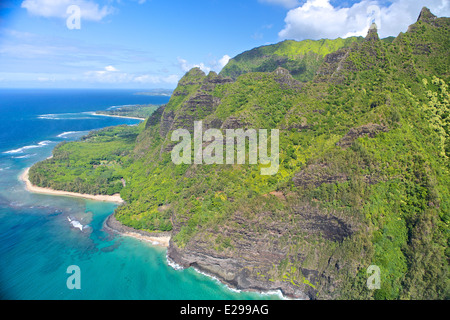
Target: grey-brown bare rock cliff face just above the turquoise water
[{"x": 260, "y": 251}]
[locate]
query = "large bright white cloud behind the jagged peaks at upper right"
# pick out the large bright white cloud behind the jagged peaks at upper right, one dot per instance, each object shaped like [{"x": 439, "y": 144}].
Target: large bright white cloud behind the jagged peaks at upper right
[{"x": 317, "y": 19}]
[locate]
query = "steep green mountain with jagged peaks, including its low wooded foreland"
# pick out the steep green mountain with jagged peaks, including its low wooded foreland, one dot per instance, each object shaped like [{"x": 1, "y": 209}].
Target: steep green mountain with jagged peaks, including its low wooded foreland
[{"x": 363, "y": 179}]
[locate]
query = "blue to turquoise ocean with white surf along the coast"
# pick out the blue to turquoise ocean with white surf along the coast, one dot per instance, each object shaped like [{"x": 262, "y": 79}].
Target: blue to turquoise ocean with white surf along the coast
[{"x": 38, "y": 242}]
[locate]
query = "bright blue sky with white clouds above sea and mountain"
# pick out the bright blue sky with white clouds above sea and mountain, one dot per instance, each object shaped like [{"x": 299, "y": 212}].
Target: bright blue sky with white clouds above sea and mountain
[{"x": 149, "y": 44}]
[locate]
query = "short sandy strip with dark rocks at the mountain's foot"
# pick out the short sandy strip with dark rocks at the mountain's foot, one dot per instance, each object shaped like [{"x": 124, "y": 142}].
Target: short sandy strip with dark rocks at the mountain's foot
[{"x": 161, "y": 239}]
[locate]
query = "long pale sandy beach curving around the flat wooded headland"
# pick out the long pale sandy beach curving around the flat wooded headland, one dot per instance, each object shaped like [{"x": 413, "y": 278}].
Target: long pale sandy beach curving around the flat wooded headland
[{"x": 35, "y": 189}]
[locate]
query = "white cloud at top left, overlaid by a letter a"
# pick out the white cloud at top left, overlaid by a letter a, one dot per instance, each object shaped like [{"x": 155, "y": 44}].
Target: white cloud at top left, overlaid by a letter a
[{"x": 58, "y": 9}]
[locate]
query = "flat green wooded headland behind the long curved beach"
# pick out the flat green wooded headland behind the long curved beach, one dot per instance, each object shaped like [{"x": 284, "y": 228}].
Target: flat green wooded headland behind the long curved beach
[{"x": 93, "y": 165}]
